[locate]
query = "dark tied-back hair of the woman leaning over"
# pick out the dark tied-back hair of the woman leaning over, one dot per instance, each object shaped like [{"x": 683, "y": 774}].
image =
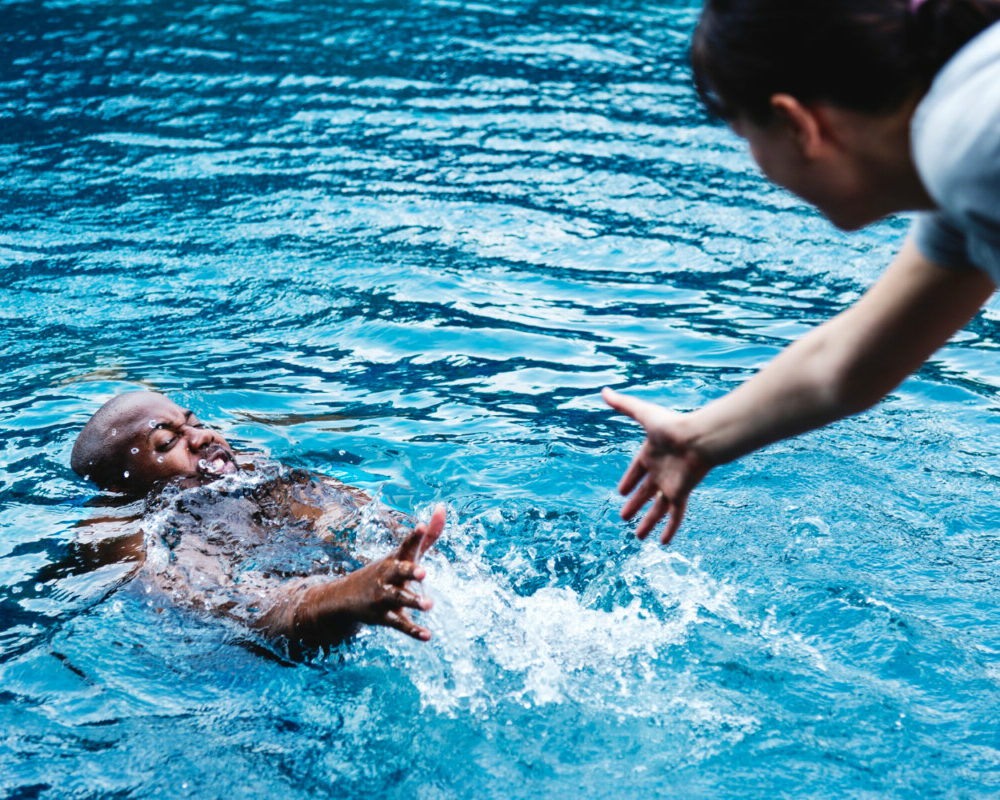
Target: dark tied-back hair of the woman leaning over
[{"x": 863, "y": 55}]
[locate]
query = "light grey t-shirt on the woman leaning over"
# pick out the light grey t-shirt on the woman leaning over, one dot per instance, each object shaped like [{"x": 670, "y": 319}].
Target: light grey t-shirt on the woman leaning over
[{"x": 955, "y": 136}]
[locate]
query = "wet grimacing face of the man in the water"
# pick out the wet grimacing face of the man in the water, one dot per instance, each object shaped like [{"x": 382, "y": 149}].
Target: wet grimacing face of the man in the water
[{"x": 160, "y": 440}]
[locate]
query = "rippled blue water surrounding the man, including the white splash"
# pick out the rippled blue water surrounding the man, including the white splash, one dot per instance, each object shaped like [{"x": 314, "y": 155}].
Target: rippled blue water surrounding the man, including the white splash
[{"x": 405, "y": 244}]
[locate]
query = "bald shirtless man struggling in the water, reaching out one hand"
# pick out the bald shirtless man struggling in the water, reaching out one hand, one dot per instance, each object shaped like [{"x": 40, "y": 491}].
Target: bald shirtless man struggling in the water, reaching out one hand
[{"x": 262, "y": 545}]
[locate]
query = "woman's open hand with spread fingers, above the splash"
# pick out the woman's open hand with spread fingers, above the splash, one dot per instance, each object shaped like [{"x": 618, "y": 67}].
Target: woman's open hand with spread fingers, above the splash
[{"x": 665, "y": 470}]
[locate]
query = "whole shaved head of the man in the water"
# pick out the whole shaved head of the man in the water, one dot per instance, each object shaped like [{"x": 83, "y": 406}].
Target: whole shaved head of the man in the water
[{"x": 139, "y": 438}]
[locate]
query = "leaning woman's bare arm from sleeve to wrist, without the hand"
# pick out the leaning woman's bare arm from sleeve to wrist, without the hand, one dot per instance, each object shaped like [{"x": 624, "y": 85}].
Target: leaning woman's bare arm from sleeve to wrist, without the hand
[{"x": 847, "y": 364}]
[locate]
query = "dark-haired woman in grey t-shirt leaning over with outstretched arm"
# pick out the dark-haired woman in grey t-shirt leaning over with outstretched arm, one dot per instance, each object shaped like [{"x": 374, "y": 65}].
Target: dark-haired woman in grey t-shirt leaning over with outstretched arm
[{"x": 863, "y": 108}]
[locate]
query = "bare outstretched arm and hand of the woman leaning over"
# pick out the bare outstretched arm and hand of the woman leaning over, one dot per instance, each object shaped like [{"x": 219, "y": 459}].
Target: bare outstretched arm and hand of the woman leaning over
[{"x": 840, "y": 368}]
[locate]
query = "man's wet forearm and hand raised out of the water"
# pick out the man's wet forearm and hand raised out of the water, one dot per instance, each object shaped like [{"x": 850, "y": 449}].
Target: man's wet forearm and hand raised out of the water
[{"x": 379, "y": 593}]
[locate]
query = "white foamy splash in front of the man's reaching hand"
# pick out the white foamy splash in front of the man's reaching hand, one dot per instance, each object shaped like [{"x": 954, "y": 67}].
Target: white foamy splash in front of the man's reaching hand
[{"x": 493, "y": 645}]
